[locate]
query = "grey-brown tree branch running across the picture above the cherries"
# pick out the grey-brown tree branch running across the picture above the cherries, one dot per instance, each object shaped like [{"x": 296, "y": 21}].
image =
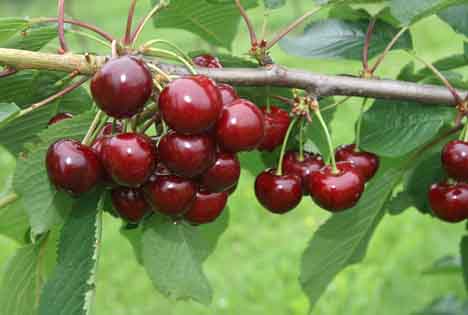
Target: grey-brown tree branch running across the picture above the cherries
[{"x": 322, "y": 85}]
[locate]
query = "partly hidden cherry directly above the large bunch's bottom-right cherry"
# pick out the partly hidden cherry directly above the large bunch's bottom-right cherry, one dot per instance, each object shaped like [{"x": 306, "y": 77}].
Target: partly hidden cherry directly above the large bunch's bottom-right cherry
[{"x": 223, "y": 175}]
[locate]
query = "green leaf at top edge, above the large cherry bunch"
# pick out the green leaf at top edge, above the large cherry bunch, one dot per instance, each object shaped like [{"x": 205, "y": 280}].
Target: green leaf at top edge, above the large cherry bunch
[{"x": 215, "y": 22}]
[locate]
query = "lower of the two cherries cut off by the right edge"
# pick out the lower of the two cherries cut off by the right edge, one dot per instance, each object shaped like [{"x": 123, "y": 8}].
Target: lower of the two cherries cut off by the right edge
[{"x": 449, "y": 202}]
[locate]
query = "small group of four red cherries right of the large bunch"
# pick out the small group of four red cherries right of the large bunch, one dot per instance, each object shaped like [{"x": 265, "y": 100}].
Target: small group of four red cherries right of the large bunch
[{"x": 307, "y": 174}]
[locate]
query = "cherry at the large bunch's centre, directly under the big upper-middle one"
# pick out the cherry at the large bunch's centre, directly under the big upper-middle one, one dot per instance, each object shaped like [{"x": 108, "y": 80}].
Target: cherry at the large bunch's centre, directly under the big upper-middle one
[{"x": 187, "y": 156}]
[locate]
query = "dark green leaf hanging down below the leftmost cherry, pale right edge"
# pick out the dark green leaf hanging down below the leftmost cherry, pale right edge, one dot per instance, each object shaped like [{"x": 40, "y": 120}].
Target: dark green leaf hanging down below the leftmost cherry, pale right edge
[{"x": 70, "y": 288}]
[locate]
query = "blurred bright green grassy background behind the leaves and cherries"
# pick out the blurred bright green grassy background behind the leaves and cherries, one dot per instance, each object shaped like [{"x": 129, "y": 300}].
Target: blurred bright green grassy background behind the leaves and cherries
[{"x": 255, "y": 268}]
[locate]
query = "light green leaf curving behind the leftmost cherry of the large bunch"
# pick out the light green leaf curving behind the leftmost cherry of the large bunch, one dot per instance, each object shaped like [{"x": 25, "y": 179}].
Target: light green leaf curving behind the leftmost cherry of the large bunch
[{"x": 44, "y": 204}]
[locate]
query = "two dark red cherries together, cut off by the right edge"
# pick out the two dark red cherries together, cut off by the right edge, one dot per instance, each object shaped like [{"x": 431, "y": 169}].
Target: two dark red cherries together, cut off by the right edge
[{"x": 449, "y": 199}]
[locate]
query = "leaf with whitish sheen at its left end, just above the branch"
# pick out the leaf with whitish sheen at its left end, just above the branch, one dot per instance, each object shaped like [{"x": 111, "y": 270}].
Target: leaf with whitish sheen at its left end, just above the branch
[{"x": 335, "y": 38}]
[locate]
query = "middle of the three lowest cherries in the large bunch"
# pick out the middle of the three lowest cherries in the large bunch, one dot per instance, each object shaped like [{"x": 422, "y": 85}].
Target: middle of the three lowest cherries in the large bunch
[{"x": 169, "y": 194}]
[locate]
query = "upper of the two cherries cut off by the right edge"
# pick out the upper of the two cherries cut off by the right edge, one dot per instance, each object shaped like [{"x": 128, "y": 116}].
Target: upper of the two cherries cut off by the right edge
[{"x": 455, "y": 159}]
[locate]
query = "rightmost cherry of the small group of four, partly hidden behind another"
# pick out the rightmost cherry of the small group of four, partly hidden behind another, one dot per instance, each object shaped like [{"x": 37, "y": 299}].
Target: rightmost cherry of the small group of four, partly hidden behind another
[{"x": 367, "y": 163}]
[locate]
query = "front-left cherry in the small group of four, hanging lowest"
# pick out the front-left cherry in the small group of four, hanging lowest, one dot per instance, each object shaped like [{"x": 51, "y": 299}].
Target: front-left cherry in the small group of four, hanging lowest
[{"x": 278, "y": 193}]
